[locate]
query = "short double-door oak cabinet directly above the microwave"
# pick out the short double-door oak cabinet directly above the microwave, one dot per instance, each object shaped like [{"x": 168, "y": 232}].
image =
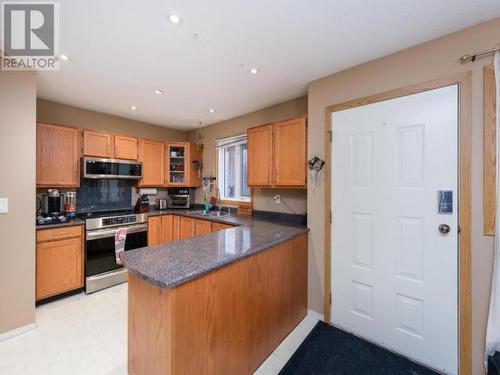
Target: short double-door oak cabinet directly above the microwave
[{"x": 109, "y": 145}]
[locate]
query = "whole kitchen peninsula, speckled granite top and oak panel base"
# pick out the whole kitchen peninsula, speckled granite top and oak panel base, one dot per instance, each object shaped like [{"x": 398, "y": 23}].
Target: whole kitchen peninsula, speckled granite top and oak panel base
[{"x": 218, "y": 303}]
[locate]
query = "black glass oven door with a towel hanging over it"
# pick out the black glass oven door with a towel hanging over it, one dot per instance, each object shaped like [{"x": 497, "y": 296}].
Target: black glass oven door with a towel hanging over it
[{"x": 100, "y": 251}]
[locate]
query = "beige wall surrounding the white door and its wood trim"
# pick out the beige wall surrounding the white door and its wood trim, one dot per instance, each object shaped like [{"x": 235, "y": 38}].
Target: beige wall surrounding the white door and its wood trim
[{"x": 438, "y": 58}]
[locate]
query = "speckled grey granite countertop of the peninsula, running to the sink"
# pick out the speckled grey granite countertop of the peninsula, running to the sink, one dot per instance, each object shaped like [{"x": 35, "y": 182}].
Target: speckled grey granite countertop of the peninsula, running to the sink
[{"x": 176, "y": 262}]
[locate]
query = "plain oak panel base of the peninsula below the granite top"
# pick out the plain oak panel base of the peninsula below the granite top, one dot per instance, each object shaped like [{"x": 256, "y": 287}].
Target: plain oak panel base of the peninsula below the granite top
[{"x": 227, "y": 321}]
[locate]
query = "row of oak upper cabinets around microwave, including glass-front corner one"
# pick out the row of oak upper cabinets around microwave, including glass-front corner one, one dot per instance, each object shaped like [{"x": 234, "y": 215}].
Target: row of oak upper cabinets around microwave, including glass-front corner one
[{"x": 163, "y": 164}]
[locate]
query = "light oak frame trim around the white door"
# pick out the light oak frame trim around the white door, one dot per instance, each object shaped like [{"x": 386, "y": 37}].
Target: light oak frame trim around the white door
[{"x": 463, "y": 80}]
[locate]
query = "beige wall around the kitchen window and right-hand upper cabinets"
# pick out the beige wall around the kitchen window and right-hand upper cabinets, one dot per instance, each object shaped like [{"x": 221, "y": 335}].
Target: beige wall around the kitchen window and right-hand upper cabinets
[{"x": 295, "y": 198}]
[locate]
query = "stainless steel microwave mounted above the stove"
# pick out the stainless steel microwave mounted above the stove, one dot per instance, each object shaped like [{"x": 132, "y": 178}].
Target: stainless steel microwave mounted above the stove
[{"x": 111, "y": 168}]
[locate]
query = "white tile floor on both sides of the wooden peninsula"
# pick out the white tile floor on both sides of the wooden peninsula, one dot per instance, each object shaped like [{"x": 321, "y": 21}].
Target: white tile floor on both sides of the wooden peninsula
[{"x": 88, "y": 335}]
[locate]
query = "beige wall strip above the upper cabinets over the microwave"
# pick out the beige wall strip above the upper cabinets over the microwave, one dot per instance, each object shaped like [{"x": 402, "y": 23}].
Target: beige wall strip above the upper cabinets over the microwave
[{"x": 68, "y": 115}]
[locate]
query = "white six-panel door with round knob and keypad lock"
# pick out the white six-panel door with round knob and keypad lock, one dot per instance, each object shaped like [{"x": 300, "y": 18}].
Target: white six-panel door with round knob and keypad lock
[{"x": 394, "y": 274}]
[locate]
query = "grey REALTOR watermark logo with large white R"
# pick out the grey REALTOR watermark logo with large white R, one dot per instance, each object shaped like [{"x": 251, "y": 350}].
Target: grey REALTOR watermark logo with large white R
[{"x": 30, "y": 36}]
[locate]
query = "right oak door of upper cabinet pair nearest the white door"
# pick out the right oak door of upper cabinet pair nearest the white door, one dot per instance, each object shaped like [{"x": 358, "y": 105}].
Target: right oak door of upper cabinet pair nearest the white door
[{"x": 290, "y": 152}]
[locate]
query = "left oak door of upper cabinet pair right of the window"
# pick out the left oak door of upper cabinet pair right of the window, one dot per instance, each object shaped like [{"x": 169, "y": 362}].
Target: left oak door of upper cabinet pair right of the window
[{"x": 260, "y": 155}]
